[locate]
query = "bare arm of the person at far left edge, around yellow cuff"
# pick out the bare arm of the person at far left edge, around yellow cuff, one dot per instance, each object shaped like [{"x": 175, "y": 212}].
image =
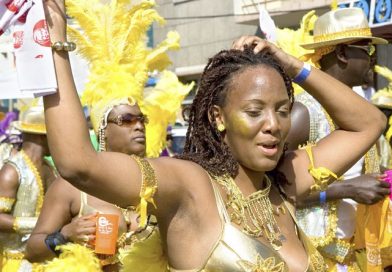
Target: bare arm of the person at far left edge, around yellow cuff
[{"x": 9, "y": 183}]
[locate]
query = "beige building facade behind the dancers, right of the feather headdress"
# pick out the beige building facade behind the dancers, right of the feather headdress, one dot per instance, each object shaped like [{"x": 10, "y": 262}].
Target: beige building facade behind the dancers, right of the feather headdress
[{"x": 206, "y": 26}]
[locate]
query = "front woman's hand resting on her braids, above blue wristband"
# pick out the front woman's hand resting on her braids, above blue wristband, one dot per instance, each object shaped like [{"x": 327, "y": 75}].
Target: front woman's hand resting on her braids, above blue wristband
[{"x": 291, "y": 64}]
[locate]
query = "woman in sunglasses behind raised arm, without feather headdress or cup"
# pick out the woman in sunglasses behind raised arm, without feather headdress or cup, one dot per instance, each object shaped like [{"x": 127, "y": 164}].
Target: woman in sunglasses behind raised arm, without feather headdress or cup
[{"x": 68, "y": 214}]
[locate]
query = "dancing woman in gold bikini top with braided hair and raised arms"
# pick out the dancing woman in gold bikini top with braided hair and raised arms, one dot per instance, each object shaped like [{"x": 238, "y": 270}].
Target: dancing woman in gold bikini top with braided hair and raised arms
[{"x": 222, "y": 205}]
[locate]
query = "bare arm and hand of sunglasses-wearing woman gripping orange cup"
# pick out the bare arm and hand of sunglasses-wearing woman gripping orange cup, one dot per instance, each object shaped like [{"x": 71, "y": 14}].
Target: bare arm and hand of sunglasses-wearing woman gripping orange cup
[{"x": 57, "y": 212}]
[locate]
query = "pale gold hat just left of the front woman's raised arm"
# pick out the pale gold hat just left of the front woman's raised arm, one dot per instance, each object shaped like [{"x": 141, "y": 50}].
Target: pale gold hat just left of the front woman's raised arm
[{"x": 31, "y": 117}]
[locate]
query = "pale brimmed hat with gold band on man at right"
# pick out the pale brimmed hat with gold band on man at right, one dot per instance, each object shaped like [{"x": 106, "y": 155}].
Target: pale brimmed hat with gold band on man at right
[{"x": 339, "y": 26}]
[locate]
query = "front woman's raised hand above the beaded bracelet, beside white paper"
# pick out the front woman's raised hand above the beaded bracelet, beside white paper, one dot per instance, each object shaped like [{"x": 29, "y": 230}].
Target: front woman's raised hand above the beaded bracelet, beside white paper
[{"x": 56, "y": 19}]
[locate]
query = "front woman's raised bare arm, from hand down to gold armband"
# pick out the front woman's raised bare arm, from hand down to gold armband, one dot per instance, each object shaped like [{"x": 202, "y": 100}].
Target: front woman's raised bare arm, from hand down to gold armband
[{"x": 69, "y": 142}]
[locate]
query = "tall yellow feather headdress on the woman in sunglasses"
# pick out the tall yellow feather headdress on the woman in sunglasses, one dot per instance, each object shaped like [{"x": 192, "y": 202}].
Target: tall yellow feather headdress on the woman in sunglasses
[{"x": 113, "y": 39}]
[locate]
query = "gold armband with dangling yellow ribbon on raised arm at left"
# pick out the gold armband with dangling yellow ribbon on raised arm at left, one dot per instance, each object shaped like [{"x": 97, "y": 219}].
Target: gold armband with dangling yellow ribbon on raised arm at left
[{"x": 148, "y": 188}]
